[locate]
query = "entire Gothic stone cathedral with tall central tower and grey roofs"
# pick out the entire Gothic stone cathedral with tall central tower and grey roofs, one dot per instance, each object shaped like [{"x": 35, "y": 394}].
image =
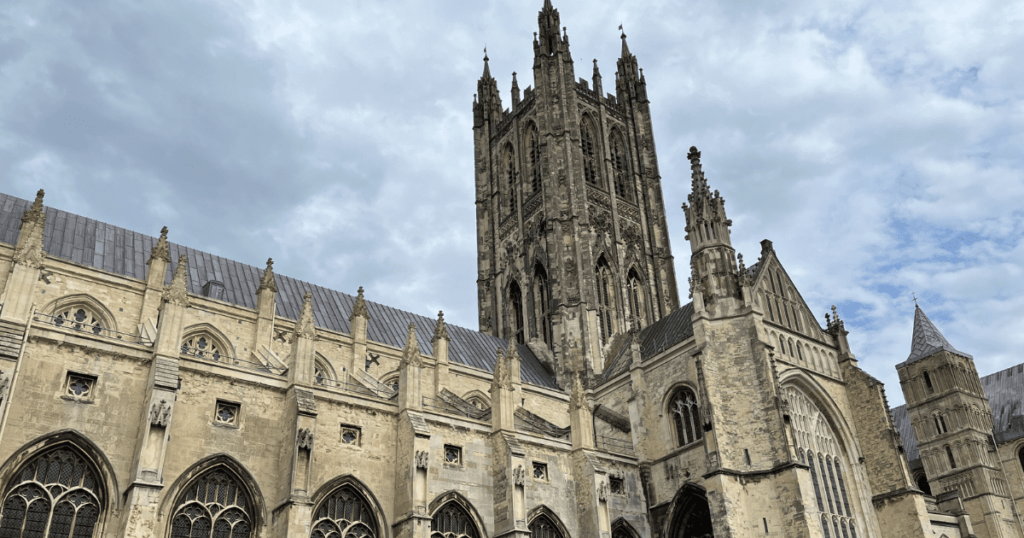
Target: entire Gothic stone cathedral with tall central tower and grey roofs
[{"x": 151, "y": 390}]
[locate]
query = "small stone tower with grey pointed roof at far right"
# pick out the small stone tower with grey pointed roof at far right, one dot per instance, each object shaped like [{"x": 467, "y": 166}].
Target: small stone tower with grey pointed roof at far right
[{"x": 953, "y": 425}]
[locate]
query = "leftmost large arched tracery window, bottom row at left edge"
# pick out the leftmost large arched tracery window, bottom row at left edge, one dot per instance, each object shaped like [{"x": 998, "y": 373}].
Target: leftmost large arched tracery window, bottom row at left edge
[{"x": 56, "y": 494}]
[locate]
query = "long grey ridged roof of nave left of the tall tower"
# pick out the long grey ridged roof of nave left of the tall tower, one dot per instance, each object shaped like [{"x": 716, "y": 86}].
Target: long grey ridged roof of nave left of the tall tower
[{"x": 114, "y": 250}]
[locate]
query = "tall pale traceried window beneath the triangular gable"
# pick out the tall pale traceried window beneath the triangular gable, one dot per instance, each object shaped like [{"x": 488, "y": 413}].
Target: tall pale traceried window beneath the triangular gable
[{"x": 827, "y": 463}]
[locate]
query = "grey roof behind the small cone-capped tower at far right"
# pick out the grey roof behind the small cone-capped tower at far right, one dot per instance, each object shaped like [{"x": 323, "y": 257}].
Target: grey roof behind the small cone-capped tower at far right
[{"x": 1006, "y": 397}]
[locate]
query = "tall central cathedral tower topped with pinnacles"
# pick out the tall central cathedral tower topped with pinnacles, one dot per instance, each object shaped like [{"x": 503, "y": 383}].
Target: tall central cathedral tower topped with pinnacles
[{"x": 573, "y": 243}]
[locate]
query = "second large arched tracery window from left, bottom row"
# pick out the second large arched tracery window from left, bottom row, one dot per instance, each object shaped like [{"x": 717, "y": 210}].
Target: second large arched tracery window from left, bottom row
[{"x": 215, "y": 506}]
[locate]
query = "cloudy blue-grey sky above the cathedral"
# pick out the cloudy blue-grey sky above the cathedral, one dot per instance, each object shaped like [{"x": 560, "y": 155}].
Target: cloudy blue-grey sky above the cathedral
[{"x": 879, "y": 145}]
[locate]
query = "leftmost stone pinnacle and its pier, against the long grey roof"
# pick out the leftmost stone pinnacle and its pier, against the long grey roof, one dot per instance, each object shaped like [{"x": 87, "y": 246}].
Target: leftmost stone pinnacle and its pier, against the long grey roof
[{"x": 29, "y": 257}]
